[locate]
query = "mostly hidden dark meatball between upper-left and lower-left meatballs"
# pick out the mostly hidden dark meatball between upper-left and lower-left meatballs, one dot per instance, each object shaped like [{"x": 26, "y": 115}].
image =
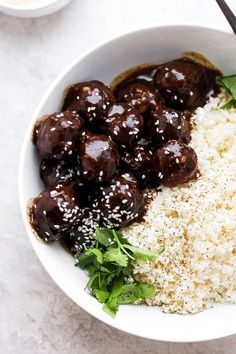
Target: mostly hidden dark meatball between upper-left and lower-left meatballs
[{"x": 54, "y": 172}]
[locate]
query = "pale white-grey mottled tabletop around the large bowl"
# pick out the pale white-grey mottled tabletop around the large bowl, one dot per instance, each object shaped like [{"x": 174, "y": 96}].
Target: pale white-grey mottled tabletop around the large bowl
[{"x": 35, "y": 316}]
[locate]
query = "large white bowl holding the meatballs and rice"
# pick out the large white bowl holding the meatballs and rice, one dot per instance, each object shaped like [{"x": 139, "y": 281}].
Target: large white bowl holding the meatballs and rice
[{"x": 154, "y": 45}]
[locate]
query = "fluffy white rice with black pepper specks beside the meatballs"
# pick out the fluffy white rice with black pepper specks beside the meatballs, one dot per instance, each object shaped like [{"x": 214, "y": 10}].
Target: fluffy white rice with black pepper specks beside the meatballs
[{"x": 196, "y": 223}]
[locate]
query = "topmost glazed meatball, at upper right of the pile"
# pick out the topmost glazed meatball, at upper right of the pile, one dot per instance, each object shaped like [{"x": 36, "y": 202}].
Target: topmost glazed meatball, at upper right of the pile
[{"x": 181, "y": 84}]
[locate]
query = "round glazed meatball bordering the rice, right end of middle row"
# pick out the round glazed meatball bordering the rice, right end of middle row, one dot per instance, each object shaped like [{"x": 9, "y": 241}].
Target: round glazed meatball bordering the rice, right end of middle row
[{"x": 176, "y": 163}]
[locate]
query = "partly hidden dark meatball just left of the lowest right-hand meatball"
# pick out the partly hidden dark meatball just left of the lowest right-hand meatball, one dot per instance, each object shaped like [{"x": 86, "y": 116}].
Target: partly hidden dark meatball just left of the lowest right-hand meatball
[{"x": 140, "y": 164}]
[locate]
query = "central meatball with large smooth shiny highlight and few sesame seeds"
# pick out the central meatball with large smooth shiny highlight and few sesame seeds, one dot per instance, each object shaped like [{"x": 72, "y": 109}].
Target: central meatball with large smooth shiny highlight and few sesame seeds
[{"x": 99, "y": 158}]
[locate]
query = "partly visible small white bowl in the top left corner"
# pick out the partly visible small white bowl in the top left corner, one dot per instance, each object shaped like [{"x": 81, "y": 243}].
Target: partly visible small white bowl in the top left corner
[{"x": 33, "y": 9}]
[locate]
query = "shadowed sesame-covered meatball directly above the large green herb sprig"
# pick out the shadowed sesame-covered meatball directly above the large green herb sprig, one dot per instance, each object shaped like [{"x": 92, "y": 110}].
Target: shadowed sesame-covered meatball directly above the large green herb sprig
[{"x": 81, "y": 236}]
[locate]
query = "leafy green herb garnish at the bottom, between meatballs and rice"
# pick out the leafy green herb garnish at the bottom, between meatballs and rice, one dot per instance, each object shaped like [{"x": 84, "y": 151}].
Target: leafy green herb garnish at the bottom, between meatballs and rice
[{"x": 110, "y": 269}]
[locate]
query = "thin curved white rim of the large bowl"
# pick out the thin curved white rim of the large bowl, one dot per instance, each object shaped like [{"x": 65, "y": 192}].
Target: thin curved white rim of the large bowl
[{"x": 28, "y": 135}]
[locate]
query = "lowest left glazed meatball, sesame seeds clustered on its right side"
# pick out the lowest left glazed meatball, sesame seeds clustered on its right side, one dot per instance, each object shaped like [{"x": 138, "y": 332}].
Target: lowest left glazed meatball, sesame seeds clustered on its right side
[{"x": 53, "y": 212}]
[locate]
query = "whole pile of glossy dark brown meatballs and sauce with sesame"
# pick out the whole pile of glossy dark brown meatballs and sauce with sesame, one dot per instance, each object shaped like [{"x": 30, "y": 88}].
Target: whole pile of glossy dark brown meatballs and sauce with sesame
[{"x": 144, "y": 120}]
